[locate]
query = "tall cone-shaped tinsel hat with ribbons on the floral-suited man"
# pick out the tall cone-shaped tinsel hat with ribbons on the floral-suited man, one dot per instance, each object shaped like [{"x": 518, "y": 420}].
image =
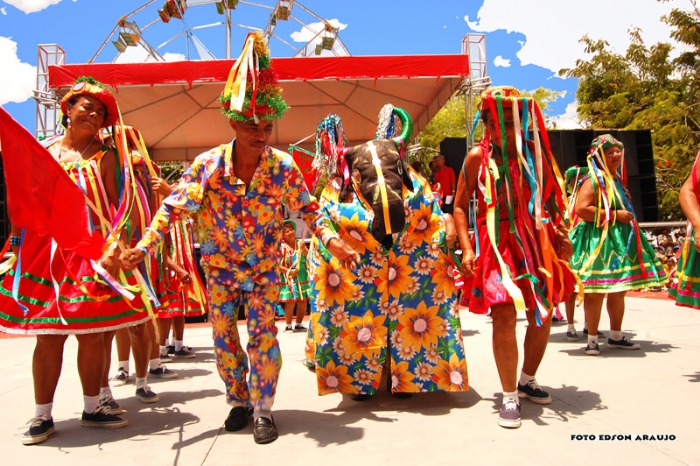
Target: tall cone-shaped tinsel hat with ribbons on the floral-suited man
[{"x": 252, "y": 91}]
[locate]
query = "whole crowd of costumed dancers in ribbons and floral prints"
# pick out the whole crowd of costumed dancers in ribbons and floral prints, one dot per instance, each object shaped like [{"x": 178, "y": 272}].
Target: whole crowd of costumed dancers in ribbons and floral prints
[{"x": 380, "y": 277}]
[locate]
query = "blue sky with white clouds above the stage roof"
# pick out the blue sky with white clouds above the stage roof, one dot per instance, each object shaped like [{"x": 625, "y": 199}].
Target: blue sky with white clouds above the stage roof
[{"x": 525, "y": 45}]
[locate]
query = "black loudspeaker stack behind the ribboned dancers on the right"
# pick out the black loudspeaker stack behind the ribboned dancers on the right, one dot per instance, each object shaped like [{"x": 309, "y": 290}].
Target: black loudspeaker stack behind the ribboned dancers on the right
[{"x": 570, "y": 147}]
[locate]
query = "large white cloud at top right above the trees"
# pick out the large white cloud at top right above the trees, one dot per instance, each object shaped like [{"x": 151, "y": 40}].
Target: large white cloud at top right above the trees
[{"x": 554, "y": 44}]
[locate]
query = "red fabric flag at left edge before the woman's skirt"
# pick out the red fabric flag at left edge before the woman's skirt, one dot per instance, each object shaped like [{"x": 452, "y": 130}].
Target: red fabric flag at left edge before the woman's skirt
[{"x": 41, "y": 197}]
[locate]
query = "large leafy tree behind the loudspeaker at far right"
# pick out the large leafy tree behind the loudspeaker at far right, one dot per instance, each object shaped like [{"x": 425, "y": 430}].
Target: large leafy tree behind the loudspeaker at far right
[{"x": 648, "y": 89}]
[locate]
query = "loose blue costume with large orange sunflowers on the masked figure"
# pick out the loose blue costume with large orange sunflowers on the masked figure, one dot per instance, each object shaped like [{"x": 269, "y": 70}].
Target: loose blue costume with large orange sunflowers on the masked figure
[{"x": 402, "y": 298}]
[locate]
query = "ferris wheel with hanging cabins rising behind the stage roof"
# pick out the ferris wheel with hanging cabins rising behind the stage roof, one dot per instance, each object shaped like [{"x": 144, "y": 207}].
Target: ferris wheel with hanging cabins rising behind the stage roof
[{"x": 168, "y": 22}]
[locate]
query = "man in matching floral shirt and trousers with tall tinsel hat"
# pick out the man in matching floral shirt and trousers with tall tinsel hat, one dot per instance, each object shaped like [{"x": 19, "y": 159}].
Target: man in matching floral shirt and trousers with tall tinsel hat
[{"x": 239, "y": 190}]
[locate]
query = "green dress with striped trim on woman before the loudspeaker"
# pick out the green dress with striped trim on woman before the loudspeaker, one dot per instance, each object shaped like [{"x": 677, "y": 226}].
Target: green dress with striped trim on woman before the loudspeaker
[{"x": 621, "y": 259}]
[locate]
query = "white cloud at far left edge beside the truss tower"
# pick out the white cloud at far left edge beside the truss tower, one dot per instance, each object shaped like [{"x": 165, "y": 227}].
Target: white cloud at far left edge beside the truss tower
[{"x": 17, "y": 80}]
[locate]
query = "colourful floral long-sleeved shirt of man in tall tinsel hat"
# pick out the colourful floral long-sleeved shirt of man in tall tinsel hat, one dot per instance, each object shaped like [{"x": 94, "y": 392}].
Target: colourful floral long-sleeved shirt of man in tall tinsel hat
[{"x": 240, "y": 227}]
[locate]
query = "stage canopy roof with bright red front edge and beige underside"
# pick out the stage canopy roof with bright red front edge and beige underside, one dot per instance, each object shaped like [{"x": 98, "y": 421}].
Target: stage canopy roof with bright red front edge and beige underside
[{"x": 175, "y": 104}]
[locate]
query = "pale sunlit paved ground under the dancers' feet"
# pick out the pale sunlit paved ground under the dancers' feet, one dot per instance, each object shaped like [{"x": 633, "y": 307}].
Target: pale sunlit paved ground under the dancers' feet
[{"x": 653, "y": 391}]
